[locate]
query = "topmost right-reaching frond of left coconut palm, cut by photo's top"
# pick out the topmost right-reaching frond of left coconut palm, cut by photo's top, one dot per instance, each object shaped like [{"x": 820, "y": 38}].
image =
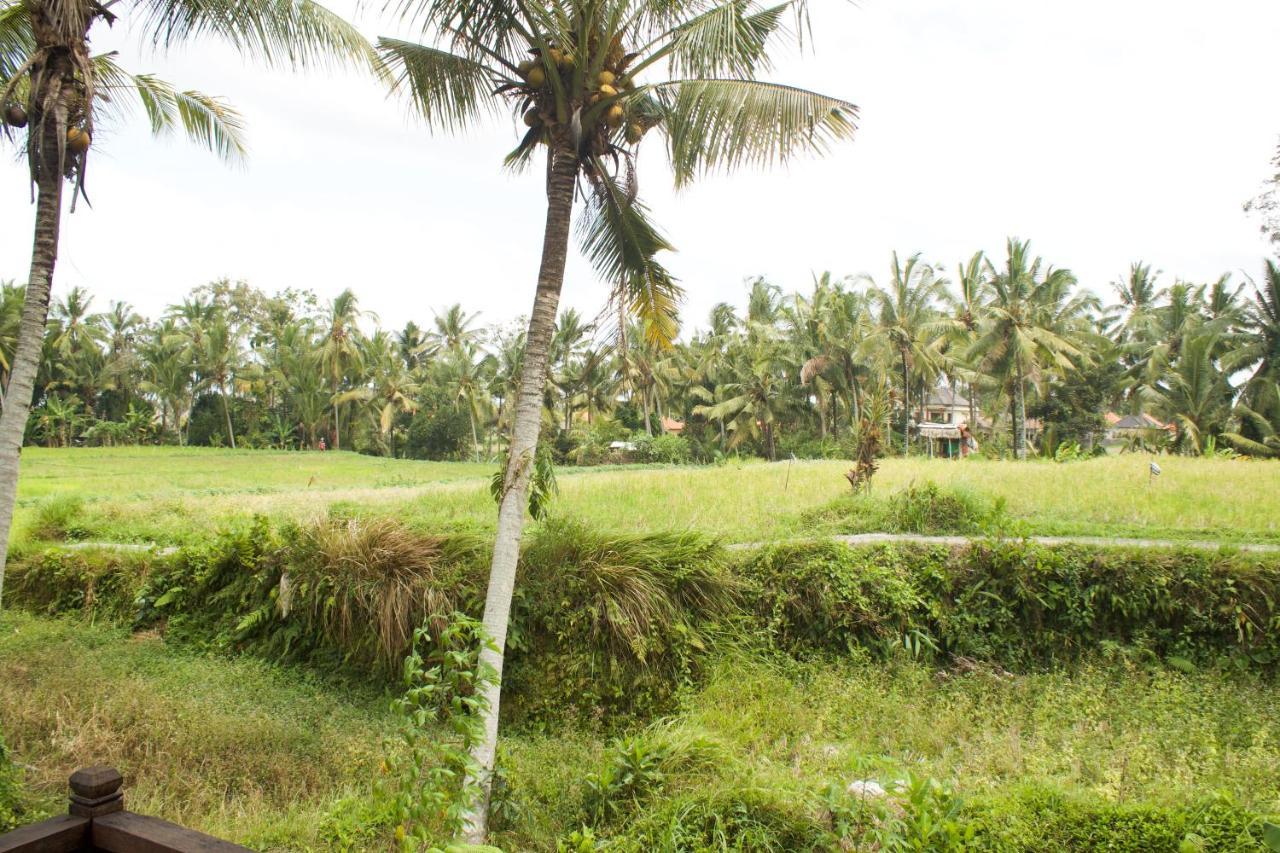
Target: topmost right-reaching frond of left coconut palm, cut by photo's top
[{"x": 280, "y": 33}]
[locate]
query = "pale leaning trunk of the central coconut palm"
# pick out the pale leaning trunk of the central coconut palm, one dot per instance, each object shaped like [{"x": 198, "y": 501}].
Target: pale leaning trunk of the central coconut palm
[{"x": 563, "y": 171}]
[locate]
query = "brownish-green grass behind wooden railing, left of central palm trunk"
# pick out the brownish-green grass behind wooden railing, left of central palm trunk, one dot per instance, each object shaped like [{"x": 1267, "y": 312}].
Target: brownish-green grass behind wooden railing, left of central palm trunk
[{"x": 232, "y": 747}]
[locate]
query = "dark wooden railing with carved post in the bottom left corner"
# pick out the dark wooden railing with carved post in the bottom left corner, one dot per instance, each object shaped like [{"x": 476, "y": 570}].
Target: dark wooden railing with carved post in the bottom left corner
[{"x": 98, "y": 822}]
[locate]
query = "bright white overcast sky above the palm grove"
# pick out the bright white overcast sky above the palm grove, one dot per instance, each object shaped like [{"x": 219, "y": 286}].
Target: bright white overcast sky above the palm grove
[{"x": 1105, "y": 131}]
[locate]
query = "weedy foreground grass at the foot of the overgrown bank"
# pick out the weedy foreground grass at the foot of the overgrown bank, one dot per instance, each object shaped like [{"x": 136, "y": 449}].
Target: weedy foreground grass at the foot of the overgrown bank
[{"x": 277, "y": 760}]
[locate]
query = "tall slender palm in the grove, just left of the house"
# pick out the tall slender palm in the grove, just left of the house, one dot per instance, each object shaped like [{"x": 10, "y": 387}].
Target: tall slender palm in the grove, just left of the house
[{"x": 908, "y": 311}]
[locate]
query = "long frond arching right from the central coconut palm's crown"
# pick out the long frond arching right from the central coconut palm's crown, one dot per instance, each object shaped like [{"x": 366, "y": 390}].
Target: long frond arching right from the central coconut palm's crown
[{"x": 728, "y": 124}]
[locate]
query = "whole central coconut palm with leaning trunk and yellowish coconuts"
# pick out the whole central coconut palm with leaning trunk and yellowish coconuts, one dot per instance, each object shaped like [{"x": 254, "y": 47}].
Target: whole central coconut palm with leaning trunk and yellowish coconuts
[{"x": 589, "y": 97}]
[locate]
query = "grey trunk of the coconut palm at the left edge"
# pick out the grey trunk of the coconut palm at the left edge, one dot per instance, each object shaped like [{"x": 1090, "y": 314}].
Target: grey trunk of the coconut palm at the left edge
[{"x": 35, "y": 308}]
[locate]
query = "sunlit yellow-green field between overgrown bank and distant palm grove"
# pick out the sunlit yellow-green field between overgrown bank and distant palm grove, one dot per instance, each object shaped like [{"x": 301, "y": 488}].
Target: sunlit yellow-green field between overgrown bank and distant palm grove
[{"x": 172, "y": 495}]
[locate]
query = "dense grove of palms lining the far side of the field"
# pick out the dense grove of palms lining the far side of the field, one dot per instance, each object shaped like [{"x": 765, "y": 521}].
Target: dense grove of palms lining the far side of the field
[{"x": 794, "y": 375}]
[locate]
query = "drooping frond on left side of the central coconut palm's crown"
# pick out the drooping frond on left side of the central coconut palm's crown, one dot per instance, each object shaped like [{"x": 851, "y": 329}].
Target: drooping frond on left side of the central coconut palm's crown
[{"x": 449, "y": 92}]
